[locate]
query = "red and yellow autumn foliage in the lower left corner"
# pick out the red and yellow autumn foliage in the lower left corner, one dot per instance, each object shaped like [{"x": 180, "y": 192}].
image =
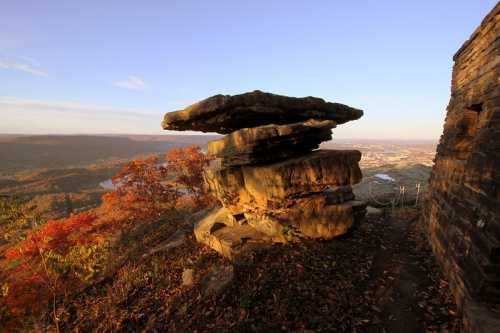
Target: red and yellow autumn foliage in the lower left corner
[{"x": 41, "y": 266}]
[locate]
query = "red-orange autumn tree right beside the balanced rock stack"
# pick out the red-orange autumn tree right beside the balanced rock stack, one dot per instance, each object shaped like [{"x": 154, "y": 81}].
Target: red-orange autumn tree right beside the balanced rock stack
[{"x": 147, "y": 188}]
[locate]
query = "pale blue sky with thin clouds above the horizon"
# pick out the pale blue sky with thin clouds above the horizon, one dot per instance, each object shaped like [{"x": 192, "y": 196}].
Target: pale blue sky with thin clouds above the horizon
[{"x": 99, "y": 66}]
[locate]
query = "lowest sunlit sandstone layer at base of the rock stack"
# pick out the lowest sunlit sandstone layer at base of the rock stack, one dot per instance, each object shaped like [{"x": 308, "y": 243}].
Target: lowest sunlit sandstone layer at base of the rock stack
[{"x": 312, "y": 217}]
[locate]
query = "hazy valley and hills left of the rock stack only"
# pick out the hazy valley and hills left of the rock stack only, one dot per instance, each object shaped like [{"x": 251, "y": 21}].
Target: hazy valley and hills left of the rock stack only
[{"x": 61, "y": 174}]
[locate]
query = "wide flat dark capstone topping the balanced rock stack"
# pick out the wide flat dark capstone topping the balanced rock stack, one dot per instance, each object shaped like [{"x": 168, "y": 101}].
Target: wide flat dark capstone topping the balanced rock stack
[{"x": 225, "y": 114}]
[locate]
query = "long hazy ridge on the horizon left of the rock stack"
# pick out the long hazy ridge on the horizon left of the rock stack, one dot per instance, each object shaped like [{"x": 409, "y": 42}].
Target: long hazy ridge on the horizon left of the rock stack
[{"x": 22, "y": 153}]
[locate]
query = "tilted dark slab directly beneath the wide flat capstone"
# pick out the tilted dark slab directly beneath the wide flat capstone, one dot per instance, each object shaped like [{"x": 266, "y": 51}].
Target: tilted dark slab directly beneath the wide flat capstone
[{"x": 270, "y": 143}]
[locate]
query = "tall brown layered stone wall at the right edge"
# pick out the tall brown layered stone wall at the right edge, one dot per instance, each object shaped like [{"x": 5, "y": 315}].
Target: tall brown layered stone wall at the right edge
[{"x": 463, "y": 208}]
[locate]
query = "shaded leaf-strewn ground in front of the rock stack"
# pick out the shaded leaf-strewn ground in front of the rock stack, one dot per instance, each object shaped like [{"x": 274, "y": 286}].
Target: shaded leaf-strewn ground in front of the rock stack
[{"x": 380, "y": 278}]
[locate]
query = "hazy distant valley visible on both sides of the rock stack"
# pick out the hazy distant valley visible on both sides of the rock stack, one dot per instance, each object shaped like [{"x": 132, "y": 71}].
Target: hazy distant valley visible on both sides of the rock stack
[{"x": 58, "y": 174}]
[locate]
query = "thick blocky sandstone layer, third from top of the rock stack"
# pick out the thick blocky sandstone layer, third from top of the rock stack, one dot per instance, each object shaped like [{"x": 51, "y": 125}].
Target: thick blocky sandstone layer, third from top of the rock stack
[{"x": 279, "y": 184}]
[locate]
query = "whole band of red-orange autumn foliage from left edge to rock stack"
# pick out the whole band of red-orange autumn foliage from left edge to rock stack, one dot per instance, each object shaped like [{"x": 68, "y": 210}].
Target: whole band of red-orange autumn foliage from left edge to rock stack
[{"x": 61, "y": 256}]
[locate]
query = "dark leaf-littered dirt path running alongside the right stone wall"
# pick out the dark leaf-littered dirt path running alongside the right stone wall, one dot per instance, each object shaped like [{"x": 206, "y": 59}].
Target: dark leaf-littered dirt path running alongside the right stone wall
[{"x": 407, "y": 294}]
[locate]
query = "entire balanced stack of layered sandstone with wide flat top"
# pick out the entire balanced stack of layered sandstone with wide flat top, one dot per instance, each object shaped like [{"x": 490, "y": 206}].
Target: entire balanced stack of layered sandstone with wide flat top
[{"x": 271, "y": 181}]
